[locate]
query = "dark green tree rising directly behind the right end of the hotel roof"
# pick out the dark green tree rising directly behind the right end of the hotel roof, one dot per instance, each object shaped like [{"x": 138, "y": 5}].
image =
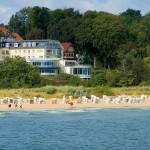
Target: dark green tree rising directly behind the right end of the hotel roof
[{"x": 62, "y": 24}]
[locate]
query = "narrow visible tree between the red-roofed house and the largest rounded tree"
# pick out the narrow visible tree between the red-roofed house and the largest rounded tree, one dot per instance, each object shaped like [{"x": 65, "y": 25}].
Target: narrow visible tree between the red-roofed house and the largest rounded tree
[{"x": 83, "y": 36}]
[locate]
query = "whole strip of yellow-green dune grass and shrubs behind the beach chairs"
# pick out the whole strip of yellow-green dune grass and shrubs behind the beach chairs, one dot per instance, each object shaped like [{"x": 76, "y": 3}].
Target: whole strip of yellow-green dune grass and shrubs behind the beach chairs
[{"x": 58, "y": 91}]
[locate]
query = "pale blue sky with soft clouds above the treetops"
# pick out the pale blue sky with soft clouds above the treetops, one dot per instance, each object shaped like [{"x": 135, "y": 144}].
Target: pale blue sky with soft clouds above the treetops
[{"x": 10, "y": 7}]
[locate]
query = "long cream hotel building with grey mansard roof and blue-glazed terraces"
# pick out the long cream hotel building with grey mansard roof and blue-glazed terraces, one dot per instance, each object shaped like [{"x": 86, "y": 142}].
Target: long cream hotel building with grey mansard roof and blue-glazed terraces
[{"x": 47, "y": 55}]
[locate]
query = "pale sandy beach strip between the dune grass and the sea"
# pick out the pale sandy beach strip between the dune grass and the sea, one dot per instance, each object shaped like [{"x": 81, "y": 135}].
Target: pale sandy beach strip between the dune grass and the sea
[{"x": 60, "y": 105}]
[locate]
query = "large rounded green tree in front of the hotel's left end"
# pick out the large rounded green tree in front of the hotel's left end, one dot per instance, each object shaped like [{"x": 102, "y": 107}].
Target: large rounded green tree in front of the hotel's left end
[{"x": 16, "y": 72}]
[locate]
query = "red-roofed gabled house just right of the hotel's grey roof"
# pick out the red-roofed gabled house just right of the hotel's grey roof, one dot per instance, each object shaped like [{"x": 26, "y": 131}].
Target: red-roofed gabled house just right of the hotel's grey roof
[{"x": 69, "y": 51}]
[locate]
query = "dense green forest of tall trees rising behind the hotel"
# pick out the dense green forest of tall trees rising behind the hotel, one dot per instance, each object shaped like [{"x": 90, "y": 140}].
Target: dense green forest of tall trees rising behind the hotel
[{"x": 118, "y": 46}]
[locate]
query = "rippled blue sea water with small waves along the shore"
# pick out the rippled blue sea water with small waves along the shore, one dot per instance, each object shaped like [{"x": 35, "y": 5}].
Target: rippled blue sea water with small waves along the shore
[{"x": 76, "y": 129}]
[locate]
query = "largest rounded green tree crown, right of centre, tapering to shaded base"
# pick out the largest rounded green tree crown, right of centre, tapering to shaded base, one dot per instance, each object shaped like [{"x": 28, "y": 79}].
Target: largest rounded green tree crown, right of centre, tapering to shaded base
[{"x": 108, "y": 33}]
